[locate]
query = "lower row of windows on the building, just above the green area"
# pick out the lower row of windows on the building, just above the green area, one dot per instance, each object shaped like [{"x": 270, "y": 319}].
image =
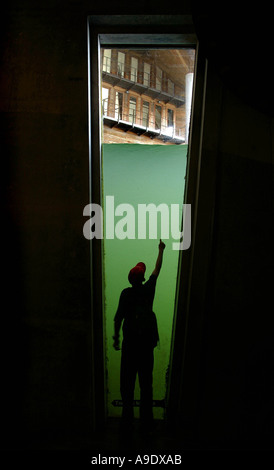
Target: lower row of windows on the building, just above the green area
[{"x": 151, "y": 114}]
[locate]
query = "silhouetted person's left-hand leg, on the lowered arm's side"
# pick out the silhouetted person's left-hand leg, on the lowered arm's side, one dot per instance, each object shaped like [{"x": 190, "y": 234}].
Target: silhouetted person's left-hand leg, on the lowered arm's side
[{"x": 127, "y": 384}]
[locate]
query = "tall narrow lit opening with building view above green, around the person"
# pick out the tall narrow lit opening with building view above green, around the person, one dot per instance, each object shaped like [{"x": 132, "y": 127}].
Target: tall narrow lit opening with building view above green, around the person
[{"x": 146, "y": 111}]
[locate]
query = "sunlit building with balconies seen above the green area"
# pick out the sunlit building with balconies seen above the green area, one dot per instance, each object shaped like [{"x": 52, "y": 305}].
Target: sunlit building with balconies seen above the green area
[{"x": 145, "y": 95}]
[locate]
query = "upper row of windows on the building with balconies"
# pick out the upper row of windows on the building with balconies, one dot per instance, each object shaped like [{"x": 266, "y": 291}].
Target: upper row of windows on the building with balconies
[{"x": 147, "y": 77}]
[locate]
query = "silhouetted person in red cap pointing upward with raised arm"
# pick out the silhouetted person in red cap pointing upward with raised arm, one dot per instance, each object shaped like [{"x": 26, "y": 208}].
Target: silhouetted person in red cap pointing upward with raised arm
[{"x": 140, "y": 336}]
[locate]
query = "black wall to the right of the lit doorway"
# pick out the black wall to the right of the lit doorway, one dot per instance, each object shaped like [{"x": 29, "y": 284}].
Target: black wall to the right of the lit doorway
[{"x": 236, "y": 370}]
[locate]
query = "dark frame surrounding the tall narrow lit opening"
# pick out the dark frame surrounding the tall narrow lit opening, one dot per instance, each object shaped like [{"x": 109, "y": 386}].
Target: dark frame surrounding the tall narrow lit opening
[{"x": 151, "y": 31}]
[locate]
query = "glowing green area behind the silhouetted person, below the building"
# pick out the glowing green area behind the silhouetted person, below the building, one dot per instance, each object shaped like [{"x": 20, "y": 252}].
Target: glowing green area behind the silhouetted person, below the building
[{"x": 141, "y": 174}]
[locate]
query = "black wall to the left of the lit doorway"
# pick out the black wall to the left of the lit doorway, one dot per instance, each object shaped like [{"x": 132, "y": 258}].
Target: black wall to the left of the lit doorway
[{"x": 46, "y": 334}]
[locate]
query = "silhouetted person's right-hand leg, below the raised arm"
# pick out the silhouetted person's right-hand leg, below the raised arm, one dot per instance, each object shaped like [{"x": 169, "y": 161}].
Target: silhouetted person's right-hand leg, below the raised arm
[{"x": 145, "y": 372}]
